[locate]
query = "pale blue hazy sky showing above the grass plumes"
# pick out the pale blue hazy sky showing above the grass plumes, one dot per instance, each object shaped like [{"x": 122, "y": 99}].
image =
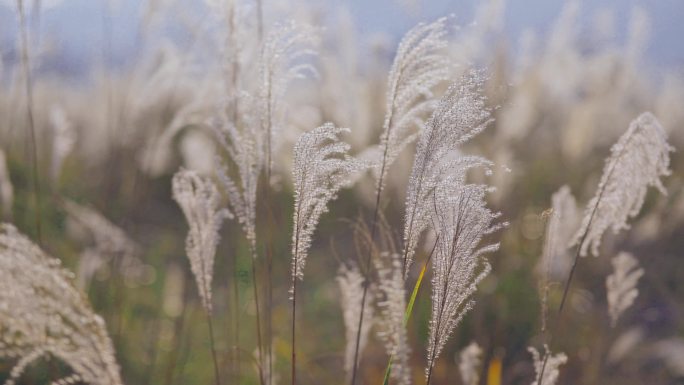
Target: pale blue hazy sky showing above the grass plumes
[{"x": 76, "y": 26}]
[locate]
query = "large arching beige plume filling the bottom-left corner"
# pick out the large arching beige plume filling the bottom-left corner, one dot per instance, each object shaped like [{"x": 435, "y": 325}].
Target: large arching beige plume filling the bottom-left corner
[{"x": 43, "y": 314}]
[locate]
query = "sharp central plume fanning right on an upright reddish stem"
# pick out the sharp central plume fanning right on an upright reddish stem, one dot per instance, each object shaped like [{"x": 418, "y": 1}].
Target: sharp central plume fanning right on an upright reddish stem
[{"x": 322, "y": 167}]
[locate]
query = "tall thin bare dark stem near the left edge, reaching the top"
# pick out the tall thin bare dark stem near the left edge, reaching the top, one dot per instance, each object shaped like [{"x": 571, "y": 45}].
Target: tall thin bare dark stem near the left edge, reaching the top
[{"x": 29, "y": 114}]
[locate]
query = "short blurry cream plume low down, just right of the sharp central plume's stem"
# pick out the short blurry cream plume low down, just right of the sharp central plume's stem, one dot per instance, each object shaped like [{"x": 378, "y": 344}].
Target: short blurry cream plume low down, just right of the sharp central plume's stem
[{"x": 350, "y": 281}]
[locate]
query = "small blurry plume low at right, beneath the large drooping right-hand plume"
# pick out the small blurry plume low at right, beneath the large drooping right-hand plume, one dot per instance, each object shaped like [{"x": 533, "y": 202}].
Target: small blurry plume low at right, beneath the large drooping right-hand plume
[{"x": 621, "y": 286}]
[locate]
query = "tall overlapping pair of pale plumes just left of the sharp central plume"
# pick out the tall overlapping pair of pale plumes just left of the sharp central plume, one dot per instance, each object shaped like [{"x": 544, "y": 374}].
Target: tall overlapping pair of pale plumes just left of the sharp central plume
[{"x": 253, "y": 115}]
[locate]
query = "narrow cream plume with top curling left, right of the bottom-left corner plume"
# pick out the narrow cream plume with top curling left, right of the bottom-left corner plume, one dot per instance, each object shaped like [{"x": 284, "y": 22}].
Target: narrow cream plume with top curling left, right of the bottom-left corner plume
[{"x": 200, "y": 202}]
